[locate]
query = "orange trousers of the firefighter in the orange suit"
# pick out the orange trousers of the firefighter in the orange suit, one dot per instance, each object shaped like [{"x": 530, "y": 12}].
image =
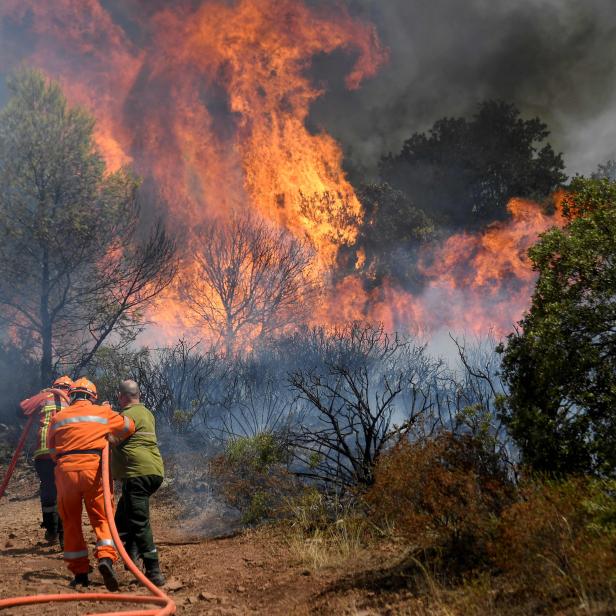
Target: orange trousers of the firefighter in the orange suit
[{"x": 75, "y": 488}]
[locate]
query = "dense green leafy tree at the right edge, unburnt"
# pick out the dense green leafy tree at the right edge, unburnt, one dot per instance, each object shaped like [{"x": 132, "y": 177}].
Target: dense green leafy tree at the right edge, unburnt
[{"x": 561, "y": 365}]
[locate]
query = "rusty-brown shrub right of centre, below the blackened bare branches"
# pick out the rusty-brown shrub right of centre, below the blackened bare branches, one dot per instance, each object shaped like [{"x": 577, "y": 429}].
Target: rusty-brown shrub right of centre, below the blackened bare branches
[{"x": 443, "y": 497}]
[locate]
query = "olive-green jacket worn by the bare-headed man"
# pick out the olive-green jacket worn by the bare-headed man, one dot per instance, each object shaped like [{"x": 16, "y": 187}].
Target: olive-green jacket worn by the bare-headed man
[{"x": 138, "y": 455}]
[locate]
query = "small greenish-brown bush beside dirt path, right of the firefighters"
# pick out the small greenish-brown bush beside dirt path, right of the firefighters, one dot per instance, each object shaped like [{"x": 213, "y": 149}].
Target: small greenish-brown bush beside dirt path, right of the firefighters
[{"x": 252, "y": 476}]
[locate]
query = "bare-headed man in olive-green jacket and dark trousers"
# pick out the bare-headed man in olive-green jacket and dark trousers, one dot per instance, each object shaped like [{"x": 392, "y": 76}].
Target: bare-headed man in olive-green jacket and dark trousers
[{"x": 138, "y": 464}]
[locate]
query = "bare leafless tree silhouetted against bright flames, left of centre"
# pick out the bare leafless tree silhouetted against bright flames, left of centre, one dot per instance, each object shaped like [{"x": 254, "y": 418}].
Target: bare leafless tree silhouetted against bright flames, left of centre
[{"x": 249, "y": 279}]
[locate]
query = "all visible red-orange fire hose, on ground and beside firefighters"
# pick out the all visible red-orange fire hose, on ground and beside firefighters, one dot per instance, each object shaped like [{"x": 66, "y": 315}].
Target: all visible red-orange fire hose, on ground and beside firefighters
[{"x": 159, "y": 598}]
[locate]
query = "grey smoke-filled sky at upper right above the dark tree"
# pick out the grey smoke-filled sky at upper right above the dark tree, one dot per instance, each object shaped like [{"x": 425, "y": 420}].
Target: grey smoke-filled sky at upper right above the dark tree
[{"x": 553, "y": 58}]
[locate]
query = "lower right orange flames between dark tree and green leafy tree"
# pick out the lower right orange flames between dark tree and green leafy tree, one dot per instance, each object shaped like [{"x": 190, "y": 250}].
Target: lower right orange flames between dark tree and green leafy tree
[{"x": 474, "y": 282}]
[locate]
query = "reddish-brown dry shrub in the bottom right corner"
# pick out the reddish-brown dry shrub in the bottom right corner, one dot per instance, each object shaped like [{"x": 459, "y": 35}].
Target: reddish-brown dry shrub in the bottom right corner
[{"x": 558, "y": 542}]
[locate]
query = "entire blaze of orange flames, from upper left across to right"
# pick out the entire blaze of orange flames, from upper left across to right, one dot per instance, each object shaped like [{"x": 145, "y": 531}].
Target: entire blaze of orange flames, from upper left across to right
[{"x": 209, "y": 104}]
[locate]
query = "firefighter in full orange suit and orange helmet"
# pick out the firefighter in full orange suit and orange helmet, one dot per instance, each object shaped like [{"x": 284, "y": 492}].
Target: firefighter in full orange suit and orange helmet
[{"x": 77, "y": 437}]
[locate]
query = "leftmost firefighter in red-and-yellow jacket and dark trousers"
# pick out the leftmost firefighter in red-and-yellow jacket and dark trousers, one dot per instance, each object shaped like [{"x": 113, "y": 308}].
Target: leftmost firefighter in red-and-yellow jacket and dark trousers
[{"x": 47, "y": 404}]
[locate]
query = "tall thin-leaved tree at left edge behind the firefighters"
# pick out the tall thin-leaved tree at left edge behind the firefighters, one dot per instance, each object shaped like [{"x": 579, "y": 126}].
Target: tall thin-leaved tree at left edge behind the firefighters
[{"x": 72, "y": 269}]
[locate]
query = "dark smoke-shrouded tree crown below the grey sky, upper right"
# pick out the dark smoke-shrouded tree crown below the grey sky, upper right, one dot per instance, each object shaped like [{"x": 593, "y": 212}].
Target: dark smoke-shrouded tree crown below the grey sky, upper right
[{"x": 463, "y": 172}]
